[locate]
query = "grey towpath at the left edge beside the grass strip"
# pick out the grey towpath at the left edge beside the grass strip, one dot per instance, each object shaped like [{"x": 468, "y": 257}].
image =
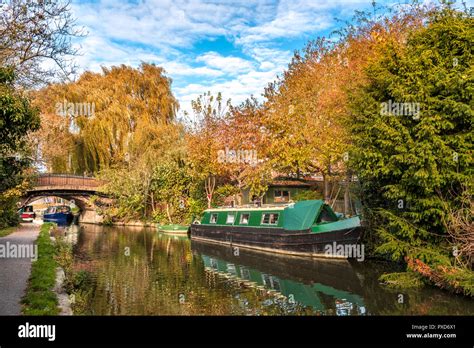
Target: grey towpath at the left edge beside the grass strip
[{"x": 14, "y": 272}]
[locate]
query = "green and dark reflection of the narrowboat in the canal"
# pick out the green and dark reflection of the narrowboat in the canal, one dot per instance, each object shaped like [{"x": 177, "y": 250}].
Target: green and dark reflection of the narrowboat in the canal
[{"x": 328, "y": 286}]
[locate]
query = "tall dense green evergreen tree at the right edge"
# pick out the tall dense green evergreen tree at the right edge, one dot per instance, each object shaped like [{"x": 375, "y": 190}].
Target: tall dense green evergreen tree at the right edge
[{"x": 412, "y": 133}]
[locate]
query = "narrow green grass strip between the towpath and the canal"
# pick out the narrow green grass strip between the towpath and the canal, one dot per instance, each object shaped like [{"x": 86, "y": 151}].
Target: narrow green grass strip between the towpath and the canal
[{"x": 39, "y": 298}]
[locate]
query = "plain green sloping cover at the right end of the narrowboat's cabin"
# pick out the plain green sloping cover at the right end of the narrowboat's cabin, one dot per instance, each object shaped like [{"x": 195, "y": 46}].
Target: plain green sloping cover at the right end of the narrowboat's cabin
[{"x": 301, "y": 215}]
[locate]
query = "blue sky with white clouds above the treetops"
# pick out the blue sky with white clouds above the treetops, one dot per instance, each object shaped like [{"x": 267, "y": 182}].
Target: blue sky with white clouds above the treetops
[{"x": 233, "y": 46}]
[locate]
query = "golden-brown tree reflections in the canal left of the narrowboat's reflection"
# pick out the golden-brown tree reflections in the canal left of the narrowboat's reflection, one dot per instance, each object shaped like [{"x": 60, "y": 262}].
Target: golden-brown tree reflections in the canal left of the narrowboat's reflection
[{"x": 160, "y": 276}]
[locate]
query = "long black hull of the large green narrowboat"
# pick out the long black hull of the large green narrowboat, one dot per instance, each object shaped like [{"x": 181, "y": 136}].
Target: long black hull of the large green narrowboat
[{"x": 298, "y": 243}]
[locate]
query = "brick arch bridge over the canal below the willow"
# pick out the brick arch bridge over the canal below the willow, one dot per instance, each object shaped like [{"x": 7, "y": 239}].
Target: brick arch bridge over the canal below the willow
[{"x": 70, "y": 187}]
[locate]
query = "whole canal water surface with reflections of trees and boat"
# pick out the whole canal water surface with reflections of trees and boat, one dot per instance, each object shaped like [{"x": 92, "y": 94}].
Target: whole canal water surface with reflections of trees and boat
[{"x": 136, "y": 271}]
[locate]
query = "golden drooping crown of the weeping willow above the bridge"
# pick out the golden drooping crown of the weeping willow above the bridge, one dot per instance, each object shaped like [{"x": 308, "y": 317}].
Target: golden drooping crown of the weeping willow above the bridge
[{"x": 106, "y": 119}]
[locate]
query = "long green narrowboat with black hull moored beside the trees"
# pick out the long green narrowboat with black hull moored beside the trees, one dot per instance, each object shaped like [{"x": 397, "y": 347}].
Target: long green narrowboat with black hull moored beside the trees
[{"x": 305, "y": 228}]
